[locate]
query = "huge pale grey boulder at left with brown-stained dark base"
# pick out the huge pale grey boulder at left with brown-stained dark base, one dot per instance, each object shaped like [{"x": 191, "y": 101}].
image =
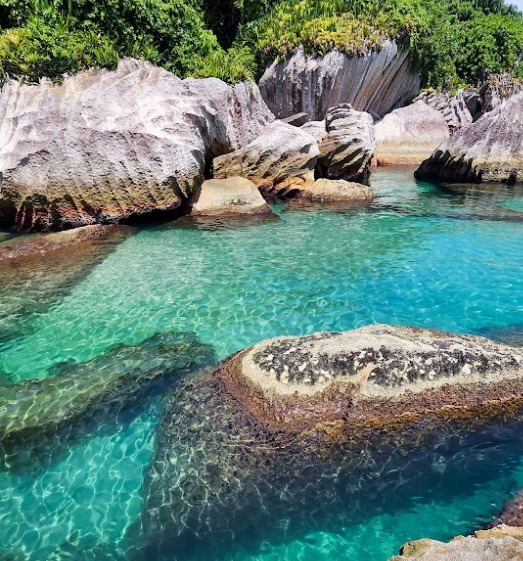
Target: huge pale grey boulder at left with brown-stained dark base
[{"x": 104, "y": 146}]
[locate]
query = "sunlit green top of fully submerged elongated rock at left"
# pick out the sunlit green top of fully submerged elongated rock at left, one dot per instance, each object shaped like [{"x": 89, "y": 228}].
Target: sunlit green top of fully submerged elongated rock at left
[{"x": 32, "y": 409}]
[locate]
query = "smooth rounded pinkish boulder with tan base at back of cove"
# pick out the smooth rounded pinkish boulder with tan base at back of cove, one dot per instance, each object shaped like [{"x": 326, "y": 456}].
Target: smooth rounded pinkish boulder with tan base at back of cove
[{"x": 410, "y": 134}]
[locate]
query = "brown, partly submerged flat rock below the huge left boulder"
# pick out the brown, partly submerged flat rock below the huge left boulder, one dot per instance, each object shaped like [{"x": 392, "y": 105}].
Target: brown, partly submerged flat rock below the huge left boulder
[{"x": 38, "y": 269}]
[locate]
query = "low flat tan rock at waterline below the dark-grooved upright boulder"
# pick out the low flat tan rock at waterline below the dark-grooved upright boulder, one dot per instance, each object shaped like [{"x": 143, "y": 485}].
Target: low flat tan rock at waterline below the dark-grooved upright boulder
[{"x": 338, "y": 192}]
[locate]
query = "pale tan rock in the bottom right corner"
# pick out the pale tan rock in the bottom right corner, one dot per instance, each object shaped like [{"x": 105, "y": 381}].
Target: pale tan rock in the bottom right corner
[{"x": 498, "y": 544}]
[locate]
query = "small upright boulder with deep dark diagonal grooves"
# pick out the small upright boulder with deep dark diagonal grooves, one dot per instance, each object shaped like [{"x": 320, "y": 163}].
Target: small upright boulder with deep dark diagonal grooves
[{"x": 347, "y": 148}]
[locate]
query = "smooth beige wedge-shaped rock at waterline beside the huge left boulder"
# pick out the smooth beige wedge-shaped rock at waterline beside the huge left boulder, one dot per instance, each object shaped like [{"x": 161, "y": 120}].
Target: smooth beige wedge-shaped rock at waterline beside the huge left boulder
[{"x": 231, "y": 196}]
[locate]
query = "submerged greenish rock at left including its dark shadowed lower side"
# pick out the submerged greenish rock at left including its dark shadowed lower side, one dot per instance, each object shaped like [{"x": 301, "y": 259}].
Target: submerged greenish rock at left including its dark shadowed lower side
[{"x": 41, "y": 419}]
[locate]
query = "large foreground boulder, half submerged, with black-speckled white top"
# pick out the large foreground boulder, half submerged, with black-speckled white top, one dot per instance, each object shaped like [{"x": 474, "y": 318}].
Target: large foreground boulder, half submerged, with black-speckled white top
[{"x": 294, "y": 429}]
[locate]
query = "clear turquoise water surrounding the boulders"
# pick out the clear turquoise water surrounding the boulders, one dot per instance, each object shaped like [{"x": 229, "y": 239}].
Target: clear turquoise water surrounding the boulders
[{"x": 419, "y": 256}]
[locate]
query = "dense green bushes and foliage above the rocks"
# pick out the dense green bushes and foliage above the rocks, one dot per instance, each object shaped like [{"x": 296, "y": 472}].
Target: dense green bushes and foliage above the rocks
[{"x": 452, "y": 42}]
